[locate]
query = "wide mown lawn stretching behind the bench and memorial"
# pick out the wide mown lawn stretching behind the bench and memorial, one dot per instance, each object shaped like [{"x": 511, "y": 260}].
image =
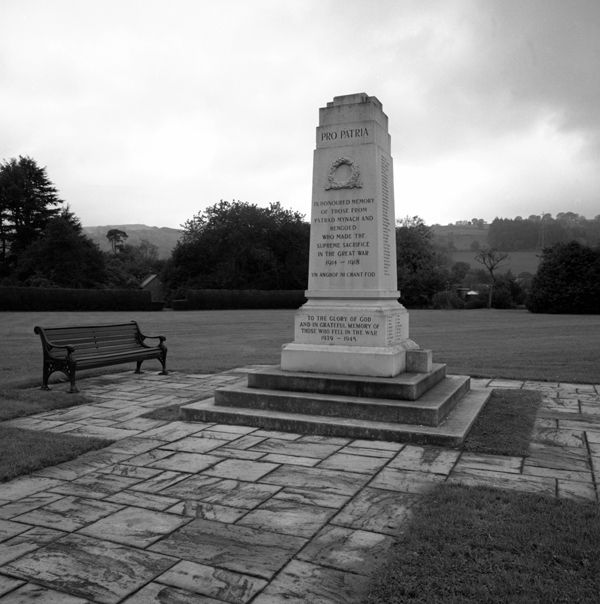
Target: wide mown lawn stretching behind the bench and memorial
[{"x": 494, "y": 343}]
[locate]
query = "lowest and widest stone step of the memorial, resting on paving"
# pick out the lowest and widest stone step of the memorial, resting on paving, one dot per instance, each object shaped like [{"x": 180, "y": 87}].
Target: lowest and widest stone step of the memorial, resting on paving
[{"x": 450, "y": 433}]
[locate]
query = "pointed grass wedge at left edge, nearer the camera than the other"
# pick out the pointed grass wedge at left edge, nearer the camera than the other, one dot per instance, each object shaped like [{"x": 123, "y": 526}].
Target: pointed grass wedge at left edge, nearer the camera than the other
[{"x": 24, "y": 451}]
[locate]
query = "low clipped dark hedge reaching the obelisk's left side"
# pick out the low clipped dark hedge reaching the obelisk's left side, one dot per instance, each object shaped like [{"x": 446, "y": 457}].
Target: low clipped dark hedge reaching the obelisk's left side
[{"x": 221, "y": 299}]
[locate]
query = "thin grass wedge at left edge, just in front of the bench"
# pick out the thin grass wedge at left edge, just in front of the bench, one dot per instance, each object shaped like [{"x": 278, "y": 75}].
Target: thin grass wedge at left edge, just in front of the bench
[{"x": 18, "y": 402}]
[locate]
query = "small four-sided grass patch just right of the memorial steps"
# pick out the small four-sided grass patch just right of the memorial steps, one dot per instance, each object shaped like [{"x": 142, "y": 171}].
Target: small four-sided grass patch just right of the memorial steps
[{"x": 505, "y": 425}]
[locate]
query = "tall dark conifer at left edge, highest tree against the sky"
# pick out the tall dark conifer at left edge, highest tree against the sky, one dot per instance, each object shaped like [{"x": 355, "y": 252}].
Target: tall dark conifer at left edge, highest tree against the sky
[{"x": 28, "y": 200}]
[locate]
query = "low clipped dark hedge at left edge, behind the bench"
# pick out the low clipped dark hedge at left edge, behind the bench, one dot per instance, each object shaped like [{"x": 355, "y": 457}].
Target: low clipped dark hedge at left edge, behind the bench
[{"x": 38, "y": 298}]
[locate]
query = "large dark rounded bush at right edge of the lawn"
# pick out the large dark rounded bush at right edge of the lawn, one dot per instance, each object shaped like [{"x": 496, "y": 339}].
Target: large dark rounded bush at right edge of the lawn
[{"x": 567, "y": 280}]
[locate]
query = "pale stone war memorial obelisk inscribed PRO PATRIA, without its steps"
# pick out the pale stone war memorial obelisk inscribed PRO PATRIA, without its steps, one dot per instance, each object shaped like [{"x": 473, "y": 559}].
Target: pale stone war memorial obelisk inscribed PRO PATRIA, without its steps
[{"x": 352, "y": 323}]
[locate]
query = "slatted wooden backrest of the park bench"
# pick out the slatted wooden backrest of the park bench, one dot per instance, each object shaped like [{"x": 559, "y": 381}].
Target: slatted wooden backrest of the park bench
[{"x": 93, "y": 338}]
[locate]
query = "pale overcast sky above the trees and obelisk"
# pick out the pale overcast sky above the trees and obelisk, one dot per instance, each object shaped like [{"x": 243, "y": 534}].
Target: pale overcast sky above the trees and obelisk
[{"x": 149, "y": 111}]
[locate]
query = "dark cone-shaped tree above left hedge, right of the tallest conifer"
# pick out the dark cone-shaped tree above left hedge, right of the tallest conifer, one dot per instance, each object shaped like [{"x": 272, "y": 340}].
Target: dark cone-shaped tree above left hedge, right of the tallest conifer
[{"x": 63, "y": 256}]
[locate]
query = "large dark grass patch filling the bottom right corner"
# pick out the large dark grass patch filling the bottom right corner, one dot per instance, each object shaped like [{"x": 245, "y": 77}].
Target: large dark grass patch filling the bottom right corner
[{"x": 487, "y": 545}]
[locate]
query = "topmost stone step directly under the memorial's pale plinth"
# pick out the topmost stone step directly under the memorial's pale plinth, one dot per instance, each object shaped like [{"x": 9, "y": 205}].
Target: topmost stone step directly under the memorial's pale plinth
[{"x": 405, "y": 386}]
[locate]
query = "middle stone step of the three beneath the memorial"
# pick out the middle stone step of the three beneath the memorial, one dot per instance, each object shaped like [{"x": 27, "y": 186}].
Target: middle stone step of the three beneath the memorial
[{"x": 429, "y": 410}]
